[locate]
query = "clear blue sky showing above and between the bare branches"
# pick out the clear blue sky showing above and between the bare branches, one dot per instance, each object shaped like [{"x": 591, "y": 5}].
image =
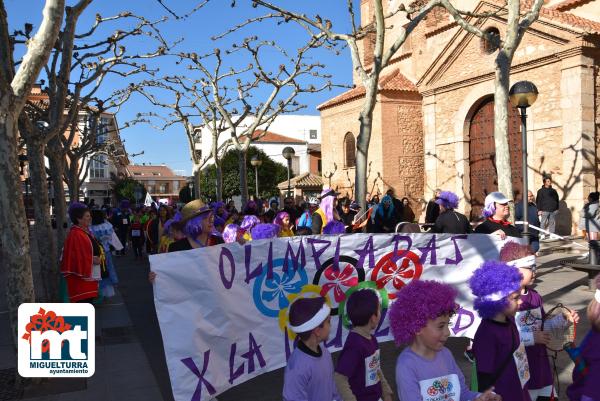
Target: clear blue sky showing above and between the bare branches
[{"x": 170, "y": 146}]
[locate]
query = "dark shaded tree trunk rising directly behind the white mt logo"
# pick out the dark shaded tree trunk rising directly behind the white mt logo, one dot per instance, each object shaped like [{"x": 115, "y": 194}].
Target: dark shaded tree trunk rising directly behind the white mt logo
[{"x": 46, "y": 242}]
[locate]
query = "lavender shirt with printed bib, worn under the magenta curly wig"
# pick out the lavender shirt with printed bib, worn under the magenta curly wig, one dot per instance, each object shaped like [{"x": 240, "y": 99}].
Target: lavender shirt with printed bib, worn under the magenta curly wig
[{"x": 421, "y": 379}]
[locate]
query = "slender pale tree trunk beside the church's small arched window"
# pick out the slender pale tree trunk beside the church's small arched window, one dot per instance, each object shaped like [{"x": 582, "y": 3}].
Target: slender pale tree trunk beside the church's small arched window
[{"x": 362, "y": 144}]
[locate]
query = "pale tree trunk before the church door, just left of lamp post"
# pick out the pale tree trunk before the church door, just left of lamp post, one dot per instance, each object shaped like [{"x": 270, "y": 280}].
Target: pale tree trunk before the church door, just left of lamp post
[{"x": 503, "y": 167}]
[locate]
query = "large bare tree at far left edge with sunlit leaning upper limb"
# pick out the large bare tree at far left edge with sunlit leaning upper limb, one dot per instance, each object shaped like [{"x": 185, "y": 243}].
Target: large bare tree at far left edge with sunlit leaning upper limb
[{"x": 15, "y": 87}]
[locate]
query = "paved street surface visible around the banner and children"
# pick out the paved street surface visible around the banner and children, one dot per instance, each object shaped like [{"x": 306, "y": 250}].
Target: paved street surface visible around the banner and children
[{"x": 130, "y": 357}]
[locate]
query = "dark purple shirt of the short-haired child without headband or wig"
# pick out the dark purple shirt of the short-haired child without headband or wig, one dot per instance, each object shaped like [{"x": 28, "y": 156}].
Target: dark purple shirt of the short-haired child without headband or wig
[{"x": 359, "y": 362}]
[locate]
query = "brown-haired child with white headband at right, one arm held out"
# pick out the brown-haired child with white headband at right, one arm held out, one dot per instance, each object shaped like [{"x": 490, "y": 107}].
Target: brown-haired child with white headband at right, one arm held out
[{"x": 529, "y": 321}]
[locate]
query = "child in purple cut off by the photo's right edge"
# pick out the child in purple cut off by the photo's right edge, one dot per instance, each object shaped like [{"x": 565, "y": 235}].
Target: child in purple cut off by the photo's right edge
[{"x": 587, "y": 376}]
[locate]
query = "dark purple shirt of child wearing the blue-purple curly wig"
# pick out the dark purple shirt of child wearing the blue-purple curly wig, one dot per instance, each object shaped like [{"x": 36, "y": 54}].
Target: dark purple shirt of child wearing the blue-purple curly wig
[{"x": 493, "y": 345}]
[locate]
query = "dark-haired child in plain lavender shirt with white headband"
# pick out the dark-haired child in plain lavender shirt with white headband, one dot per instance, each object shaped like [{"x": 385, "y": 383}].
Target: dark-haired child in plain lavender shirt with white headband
[{"x": 309, "y": 372}]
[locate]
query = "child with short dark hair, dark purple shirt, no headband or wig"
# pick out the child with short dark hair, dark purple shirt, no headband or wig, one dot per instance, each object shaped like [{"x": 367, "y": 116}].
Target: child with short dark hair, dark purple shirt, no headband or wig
[{"x": 358, "y": 375}]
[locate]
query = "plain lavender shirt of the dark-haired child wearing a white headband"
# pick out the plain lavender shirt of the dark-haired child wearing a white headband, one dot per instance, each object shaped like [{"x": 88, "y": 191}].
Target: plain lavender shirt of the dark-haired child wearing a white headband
[{"x": 309, "y": 377}]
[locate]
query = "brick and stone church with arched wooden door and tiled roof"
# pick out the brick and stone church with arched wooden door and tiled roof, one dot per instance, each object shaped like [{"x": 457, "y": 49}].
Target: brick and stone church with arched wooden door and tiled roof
[{"x": 433, "y": 122}]
